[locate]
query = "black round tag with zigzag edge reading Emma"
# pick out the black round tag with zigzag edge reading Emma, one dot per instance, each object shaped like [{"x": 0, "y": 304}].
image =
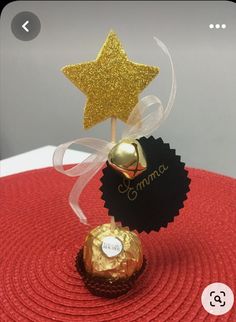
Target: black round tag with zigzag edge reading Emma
[{"x": 152, "y": 199}]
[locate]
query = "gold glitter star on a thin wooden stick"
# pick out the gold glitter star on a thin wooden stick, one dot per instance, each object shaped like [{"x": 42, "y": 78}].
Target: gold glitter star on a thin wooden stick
[{"x": 111, "y": 83}]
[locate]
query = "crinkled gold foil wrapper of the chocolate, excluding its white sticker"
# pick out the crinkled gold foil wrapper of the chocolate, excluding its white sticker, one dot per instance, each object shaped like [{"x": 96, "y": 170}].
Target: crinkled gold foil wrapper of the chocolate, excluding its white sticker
[{"x": 127, "y": 262}]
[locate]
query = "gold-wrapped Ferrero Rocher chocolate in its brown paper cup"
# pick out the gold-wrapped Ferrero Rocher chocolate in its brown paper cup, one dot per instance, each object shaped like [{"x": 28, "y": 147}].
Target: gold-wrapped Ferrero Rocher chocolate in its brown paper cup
[{"x": 110, "y": 261}]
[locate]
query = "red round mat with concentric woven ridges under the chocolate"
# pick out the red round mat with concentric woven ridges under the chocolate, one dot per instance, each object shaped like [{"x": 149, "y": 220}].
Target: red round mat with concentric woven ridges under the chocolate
[{"x": 40, "y": 236}]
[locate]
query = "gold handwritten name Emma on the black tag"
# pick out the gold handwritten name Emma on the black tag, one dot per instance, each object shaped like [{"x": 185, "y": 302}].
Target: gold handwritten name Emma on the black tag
[{"x": 132, "y": 192}]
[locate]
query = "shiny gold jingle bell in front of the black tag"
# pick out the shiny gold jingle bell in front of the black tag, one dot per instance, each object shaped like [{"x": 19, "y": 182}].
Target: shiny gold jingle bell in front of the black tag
[{"x": 128, "y": 158}]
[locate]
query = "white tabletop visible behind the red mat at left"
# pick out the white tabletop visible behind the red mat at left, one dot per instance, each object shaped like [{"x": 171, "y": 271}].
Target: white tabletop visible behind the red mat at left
[{"x": 37, "y": 159}]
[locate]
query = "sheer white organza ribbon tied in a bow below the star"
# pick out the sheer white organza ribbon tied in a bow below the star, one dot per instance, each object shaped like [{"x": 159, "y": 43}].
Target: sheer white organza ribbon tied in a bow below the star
[{"x": 139, "y": 123}]
